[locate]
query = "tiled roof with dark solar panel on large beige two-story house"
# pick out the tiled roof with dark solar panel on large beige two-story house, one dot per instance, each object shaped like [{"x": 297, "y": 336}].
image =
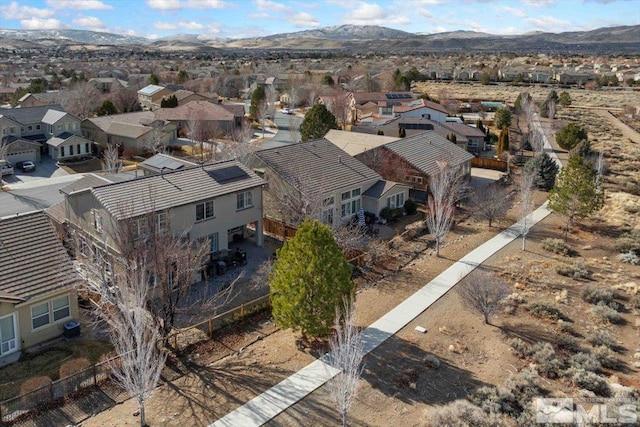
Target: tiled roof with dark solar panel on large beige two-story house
[{"x": 131, "y": 198}]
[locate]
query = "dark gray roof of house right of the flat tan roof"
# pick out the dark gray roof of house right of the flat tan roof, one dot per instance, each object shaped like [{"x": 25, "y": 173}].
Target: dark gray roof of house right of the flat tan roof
[{"x": 425, "y": 149}]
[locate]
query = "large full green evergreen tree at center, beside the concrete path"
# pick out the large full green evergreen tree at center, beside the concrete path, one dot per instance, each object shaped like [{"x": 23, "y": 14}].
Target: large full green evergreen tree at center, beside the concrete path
[{"x": 310, "y": 277}]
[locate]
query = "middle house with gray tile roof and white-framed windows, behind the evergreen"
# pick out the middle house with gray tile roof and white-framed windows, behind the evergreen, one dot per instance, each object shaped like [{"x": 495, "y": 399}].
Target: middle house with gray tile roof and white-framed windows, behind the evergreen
[{"x": 323, "y": 181}]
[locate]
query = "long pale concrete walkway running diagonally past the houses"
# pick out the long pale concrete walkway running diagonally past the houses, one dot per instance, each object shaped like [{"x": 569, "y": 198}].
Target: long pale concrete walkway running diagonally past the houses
[{"x": 278, "y": 398}]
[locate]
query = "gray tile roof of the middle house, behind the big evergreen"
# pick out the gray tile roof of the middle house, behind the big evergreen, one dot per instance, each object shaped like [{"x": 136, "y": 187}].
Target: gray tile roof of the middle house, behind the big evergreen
[{"x": 318, "y": 162}]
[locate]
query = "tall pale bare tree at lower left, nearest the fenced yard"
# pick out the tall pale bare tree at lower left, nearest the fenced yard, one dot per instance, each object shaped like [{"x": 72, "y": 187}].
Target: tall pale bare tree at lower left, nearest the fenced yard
[{"x": 120, "y": 298}]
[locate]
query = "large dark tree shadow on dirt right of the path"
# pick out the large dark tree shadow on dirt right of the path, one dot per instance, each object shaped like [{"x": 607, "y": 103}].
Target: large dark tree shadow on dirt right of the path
[{"x": 399, "y": 369}]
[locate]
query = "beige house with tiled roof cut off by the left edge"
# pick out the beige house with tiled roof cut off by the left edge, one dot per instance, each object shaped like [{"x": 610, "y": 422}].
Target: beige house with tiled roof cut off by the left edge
[{"x": 37, "y": 284}]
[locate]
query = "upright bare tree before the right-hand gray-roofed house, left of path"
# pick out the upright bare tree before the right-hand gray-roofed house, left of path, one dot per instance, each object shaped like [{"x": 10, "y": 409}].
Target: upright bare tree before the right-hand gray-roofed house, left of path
[{"x": 445, "y": 187}]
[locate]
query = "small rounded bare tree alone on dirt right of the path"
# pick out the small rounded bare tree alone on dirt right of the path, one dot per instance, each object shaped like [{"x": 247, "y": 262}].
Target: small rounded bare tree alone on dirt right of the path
[{"x": 482, "y": 292}]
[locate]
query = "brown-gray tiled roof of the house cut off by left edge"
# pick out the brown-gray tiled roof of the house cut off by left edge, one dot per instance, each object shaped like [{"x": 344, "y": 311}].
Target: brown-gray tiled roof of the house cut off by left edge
[{"x": 33, "y": 261}]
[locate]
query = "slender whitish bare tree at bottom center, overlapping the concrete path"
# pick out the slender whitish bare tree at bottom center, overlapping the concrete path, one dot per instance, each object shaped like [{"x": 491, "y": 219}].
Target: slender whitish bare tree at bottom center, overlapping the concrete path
[{"x": 347, "y": 352}]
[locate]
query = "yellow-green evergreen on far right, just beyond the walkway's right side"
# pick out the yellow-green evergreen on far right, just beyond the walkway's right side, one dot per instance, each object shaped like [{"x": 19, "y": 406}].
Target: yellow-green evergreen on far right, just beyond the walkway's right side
[{"x": 577, "y": 194}]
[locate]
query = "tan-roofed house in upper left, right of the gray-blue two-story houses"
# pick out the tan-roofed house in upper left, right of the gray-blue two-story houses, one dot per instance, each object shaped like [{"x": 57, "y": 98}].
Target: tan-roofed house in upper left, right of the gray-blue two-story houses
[{"x": 129, "y": 131}]
